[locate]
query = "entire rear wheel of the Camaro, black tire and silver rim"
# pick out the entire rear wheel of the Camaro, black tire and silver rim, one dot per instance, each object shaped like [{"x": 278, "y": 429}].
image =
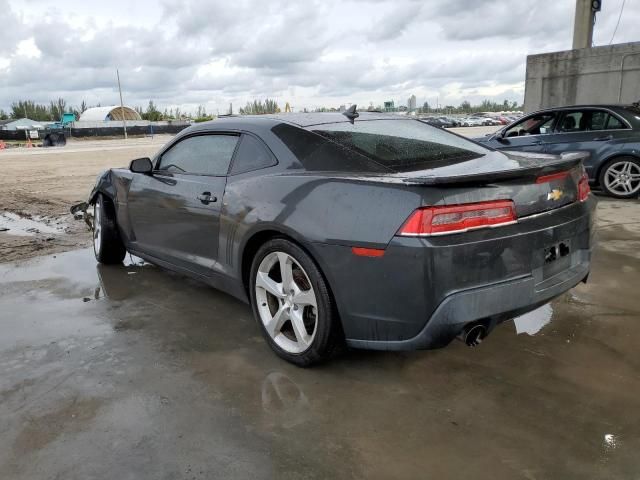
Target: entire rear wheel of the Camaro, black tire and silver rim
[{"x": 292, "y": 304}]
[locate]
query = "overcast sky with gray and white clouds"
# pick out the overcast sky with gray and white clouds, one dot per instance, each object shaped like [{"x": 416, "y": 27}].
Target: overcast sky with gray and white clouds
[{"x": 307, "y": 52}]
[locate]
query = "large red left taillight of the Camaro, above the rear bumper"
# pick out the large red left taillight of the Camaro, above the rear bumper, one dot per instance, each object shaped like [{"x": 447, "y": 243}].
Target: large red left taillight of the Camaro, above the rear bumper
[{"x": 458, "y": 218}]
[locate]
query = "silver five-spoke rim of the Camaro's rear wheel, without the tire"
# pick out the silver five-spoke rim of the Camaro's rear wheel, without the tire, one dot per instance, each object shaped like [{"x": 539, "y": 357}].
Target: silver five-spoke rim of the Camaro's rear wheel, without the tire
[{"x": 286, "y": 302}]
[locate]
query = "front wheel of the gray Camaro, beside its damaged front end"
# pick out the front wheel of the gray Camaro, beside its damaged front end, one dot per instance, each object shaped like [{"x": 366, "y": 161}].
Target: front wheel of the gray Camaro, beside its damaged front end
[{"x": 107, "y": 244}]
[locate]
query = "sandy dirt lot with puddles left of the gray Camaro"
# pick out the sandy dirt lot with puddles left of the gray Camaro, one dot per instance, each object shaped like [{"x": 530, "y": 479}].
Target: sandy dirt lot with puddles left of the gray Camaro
[{"x": 38, "y": 186}]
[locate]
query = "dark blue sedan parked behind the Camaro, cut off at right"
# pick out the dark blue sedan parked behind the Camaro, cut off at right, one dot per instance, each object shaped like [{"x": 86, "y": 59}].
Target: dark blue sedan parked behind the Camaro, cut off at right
[{"x": 610, "y": 133}]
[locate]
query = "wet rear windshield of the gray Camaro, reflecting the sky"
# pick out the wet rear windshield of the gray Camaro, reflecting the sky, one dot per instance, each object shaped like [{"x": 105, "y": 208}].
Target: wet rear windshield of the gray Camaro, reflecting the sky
[{"x": 401, "y": 145}]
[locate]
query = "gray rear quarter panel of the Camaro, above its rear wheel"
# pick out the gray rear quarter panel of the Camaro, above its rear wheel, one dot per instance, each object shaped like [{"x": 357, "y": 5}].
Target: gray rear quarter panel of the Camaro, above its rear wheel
[{"x": 313, "y": 209}]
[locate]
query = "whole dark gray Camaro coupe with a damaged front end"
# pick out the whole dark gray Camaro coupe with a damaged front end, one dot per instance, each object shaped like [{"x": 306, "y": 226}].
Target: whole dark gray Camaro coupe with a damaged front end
[{"x": 378, "y": 230}]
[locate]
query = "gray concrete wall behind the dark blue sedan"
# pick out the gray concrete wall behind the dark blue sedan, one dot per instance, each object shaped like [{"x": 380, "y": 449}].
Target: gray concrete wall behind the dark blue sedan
[{"x": 590, "y": 75}]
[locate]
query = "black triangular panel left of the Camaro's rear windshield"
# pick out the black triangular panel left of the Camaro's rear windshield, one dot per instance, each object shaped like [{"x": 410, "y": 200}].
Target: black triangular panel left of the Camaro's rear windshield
[{"x": 317, "y": 154}]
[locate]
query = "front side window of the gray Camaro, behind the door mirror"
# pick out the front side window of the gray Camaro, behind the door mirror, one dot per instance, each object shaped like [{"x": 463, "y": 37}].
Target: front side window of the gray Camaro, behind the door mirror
[{"x": 202, "y": 154}]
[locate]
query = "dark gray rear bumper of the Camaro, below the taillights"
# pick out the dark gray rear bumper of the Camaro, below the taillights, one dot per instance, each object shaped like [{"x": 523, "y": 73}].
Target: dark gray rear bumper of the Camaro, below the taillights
[{"x": 423, "y": 291}]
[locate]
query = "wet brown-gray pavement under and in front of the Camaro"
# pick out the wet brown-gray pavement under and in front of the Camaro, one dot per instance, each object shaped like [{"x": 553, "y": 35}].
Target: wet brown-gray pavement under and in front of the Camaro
[{"x": 134, "y": 372}]
